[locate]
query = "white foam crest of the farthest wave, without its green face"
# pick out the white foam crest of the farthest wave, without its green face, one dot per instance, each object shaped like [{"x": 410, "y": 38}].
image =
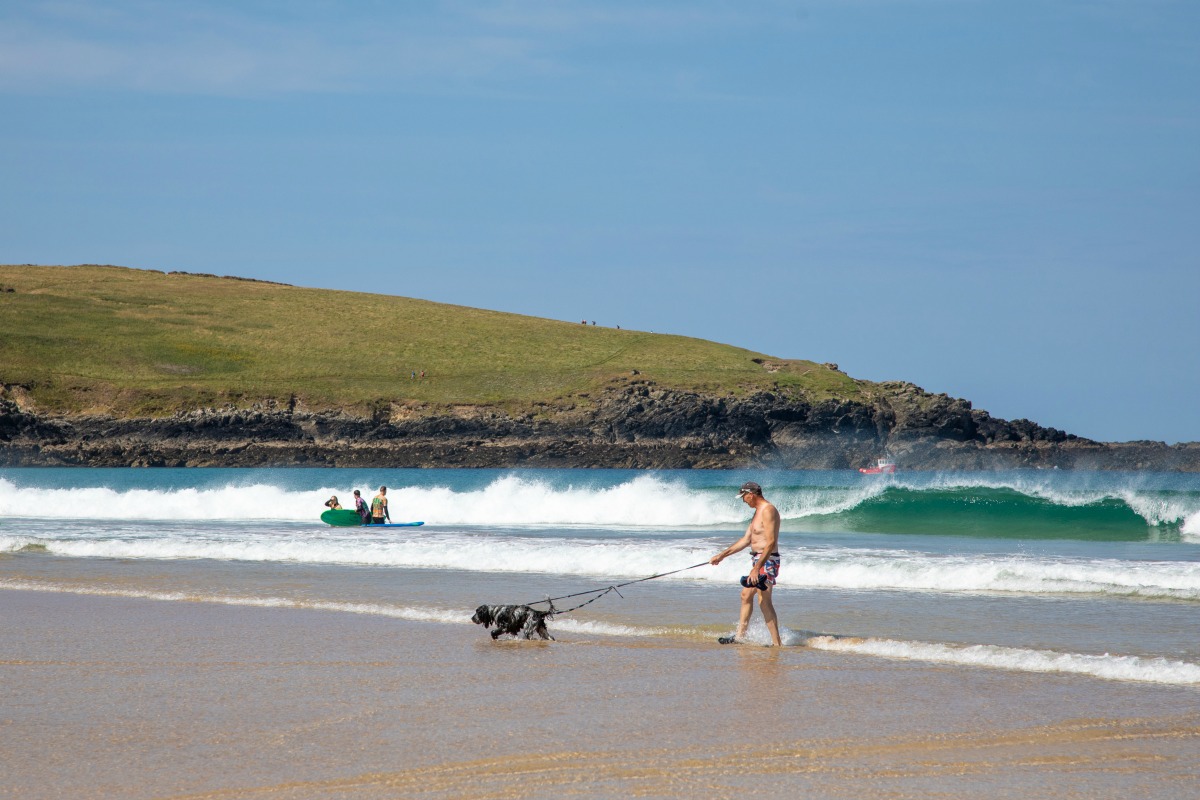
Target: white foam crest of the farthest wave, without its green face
[{"x": 513, "y": 501}]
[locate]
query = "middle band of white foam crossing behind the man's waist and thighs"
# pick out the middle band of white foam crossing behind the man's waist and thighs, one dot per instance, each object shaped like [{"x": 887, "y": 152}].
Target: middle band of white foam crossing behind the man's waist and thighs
[{"x": 609, "y": 560}]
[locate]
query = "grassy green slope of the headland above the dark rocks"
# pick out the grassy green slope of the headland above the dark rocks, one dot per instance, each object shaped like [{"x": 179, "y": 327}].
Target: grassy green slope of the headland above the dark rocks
[{"x": 143, "y": 344}]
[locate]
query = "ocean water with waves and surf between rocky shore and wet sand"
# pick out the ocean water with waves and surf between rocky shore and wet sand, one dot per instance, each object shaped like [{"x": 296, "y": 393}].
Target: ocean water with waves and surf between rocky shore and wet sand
[{"x": 1089, "y": 575}]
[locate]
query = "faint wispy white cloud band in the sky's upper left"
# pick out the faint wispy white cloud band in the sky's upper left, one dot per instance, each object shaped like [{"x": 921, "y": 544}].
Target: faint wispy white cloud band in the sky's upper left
[{"x": 189, "y": 50}]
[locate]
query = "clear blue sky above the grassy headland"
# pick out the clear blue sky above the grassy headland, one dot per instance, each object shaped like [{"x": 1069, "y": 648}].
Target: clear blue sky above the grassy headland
[{"x": 995, "y": 200}]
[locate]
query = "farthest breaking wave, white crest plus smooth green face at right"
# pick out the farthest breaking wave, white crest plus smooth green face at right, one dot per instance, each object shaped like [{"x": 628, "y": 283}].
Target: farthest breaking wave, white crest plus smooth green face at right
[{"x": 988, "y": 508}]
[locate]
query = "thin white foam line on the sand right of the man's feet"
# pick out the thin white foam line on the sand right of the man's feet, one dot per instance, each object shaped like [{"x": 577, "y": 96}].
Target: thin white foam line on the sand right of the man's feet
[{"x": 1109, "y": 667}]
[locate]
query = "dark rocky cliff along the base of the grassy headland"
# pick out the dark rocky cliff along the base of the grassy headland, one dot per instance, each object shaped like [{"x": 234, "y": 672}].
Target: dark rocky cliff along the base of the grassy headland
[{"x": 632, "y": 425}]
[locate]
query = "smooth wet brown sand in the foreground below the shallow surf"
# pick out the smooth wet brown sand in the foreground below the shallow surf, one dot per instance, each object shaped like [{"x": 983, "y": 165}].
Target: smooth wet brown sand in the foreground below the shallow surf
[{"x": 119, "y": 697}]
